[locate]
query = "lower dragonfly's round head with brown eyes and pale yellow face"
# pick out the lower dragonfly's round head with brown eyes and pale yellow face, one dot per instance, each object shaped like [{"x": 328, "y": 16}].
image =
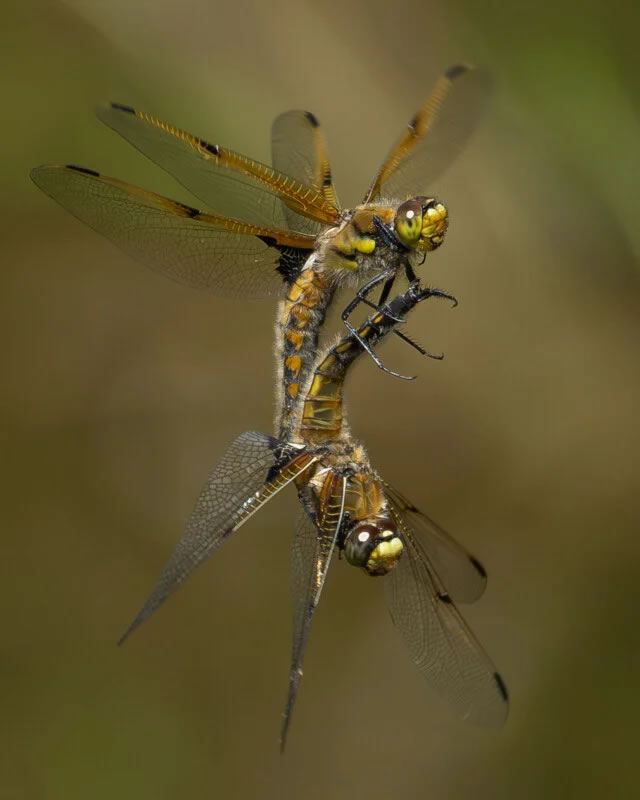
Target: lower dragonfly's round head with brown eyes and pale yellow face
[{"x": 374, "y": 545}]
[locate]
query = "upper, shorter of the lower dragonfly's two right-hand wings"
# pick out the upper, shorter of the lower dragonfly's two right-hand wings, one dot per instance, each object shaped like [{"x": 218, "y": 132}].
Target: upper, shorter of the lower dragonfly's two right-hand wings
[{"x": 461, "y": 574}]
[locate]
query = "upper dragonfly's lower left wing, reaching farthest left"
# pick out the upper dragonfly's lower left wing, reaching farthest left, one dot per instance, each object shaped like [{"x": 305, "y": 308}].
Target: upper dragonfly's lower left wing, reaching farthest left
[{"x": 205, "y": 251}]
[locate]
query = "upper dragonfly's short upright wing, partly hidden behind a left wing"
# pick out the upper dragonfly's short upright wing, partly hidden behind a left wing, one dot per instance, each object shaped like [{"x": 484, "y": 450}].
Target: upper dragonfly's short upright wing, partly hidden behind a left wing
[{"x": 298, "y": 149}]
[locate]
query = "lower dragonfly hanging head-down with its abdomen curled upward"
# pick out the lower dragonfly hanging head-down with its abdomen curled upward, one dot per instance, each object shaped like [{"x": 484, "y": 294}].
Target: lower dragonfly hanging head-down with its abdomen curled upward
[{"x": 346, "y": 506}]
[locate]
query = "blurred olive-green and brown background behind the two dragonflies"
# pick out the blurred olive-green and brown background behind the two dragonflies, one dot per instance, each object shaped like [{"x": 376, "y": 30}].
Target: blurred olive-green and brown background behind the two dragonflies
[{"x": 122, "y": 390}]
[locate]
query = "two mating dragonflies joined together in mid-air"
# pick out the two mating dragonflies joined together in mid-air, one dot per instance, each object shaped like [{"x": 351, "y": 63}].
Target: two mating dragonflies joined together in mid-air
[{"x": 279, "y": 226}]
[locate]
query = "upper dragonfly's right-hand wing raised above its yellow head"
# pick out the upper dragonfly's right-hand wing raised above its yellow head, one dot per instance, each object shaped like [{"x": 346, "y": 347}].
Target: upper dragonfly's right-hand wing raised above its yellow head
[{"x": 435, "y": 135}]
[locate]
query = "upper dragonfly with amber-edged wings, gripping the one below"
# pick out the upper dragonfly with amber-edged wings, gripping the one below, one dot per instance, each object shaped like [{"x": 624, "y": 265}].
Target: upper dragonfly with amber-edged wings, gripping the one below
[{"x": 280, "y": 230}]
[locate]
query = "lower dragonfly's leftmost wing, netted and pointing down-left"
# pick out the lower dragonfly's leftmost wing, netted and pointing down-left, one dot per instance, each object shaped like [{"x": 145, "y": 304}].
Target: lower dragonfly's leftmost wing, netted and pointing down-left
[{"x": 244, "y": 480}]
